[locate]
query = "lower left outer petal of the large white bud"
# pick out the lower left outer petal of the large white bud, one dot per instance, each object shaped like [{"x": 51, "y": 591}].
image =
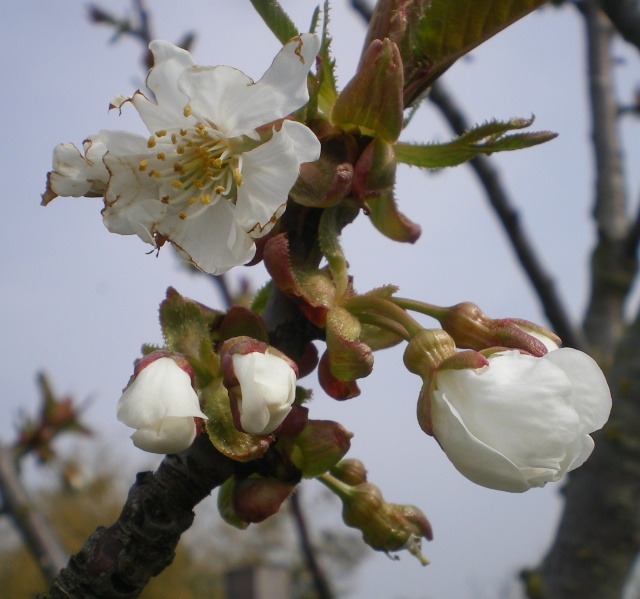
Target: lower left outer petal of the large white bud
[{"x": 474, "y": 459}]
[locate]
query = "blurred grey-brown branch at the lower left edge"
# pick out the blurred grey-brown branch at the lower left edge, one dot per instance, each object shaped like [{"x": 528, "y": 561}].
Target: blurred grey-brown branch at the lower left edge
[{"x": 35, "y": 530}]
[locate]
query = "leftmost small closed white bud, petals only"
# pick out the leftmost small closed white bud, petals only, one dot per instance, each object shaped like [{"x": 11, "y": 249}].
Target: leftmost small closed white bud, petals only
[{"x": 161, "y": 404}]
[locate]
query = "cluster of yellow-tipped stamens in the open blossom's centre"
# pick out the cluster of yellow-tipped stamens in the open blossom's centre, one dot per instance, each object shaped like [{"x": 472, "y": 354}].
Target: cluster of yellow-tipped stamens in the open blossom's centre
[{"x": 197, "y": 166}]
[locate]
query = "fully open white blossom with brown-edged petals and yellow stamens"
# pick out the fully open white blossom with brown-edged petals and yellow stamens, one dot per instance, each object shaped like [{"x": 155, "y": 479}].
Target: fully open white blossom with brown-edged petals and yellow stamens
[{"x": 215, "y": 173}]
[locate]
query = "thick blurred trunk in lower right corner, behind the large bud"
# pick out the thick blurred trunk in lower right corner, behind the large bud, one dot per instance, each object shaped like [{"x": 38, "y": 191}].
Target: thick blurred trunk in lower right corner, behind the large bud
[{"x": 599, "y": 533}]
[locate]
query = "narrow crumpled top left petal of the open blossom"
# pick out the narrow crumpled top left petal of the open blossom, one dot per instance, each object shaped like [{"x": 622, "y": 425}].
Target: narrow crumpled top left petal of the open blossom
[{"x": 170, "y": 61}]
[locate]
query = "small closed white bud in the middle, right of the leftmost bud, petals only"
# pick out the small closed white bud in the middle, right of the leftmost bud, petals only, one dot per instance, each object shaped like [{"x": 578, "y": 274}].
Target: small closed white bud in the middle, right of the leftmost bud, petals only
[{"x": 268, "y": 387}]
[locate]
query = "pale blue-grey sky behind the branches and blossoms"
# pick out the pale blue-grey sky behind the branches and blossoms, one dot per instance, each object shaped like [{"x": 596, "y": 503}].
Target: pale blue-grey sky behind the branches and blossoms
[{"x": 79, "y": 301}]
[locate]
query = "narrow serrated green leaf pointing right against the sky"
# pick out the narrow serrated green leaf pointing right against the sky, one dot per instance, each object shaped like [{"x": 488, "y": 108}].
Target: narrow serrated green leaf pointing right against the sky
[{"x": 485, "y": 139}]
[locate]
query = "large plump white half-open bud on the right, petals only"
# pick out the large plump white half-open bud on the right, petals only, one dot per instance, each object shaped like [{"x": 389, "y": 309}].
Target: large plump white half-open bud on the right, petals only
[{"x": 521, "y": 421}]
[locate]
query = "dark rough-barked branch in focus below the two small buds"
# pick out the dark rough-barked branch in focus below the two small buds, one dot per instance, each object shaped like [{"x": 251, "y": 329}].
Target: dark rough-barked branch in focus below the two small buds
[{"x": 117, "y": 562}]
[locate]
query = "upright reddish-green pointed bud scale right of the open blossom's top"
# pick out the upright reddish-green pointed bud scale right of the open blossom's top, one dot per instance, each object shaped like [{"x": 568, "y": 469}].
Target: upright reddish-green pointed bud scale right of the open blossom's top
[{"x": 373, "y": 97}]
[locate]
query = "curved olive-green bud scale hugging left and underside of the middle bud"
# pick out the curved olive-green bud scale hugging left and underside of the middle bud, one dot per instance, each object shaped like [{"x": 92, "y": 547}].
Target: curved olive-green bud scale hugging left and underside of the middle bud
[{"x": 226, "y": 438}]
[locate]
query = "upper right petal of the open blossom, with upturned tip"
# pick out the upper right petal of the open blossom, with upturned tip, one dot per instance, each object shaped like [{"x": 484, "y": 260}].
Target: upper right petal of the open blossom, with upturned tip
[{"x": 238, "y": 106}]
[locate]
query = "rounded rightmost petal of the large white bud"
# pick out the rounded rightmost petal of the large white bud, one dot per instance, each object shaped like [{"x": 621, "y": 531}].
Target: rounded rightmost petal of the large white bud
[{"x": 591, "y": 395}]
